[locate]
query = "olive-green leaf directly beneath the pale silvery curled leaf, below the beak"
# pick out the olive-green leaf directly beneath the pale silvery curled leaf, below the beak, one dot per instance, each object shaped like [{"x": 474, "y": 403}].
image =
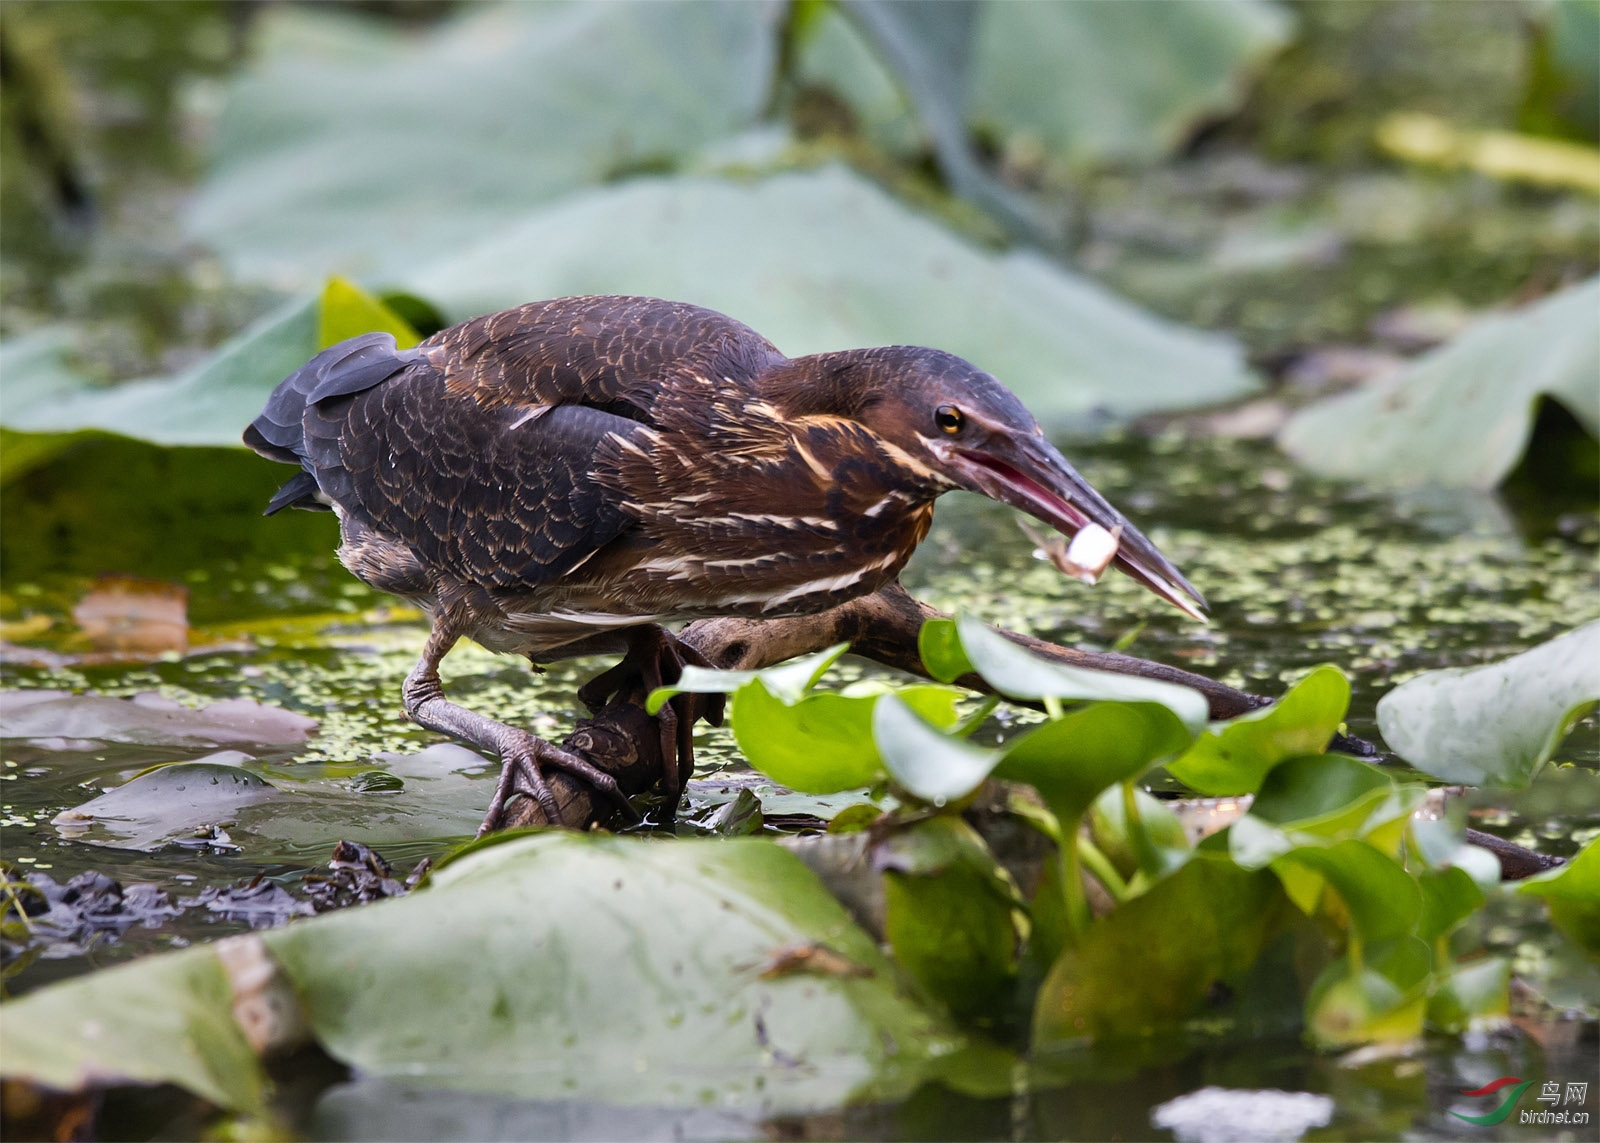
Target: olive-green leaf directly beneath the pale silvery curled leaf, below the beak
[{"x": 1073, "y": 760}]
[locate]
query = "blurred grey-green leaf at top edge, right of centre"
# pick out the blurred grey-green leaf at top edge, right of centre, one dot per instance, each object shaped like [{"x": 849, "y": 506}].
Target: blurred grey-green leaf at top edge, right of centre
[{"x": 1116, "y": 81}]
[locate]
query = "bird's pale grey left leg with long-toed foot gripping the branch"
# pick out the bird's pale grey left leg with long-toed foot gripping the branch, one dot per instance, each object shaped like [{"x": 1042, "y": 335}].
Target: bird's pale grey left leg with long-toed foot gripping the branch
[{"x": 522, "y": 755}]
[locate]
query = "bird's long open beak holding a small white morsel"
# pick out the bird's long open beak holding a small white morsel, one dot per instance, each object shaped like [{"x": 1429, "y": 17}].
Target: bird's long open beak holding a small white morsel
[{"x": 1031, "y": 475}]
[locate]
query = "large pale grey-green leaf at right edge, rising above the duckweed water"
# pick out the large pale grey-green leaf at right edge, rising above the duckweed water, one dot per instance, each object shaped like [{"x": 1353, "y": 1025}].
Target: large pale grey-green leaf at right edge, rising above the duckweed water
[{"x": 1462, "y": 415}]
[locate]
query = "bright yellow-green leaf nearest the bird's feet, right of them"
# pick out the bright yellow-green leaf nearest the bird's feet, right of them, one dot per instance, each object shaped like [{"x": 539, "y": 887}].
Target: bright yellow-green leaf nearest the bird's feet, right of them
[{"x": 823, "y": 744}]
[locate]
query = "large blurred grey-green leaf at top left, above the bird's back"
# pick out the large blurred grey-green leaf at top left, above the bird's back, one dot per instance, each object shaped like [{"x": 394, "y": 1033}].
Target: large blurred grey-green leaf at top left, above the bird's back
[{"x": 350, "y": 150}]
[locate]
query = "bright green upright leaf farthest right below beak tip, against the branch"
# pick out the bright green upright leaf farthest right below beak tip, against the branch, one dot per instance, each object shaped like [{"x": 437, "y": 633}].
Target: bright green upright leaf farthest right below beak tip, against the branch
[{"x": 1233, "y": 758}]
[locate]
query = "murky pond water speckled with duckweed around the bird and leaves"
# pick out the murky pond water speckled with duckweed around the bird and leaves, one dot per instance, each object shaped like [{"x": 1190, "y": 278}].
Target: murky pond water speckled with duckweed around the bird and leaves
[{"x": 1298, "y": 574}]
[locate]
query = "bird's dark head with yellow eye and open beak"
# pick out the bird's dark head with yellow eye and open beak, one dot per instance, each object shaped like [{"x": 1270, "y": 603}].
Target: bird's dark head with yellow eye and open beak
[{"x": 959, "y": 428}]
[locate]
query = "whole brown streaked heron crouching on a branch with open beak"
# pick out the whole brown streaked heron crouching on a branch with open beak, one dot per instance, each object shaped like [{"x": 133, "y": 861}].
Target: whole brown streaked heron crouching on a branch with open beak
[{"x": 562, "y": 478}]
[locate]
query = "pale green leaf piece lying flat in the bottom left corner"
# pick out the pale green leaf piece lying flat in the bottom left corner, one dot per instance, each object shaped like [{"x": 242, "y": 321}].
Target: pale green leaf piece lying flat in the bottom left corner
[{"x": 164, "y": 1019}]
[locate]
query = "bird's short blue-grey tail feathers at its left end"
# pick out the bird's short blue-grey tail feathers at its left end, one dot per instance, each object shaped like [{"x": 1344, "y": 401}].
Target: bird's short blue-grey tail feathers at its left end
[{"x": 342, "y": 371}]
